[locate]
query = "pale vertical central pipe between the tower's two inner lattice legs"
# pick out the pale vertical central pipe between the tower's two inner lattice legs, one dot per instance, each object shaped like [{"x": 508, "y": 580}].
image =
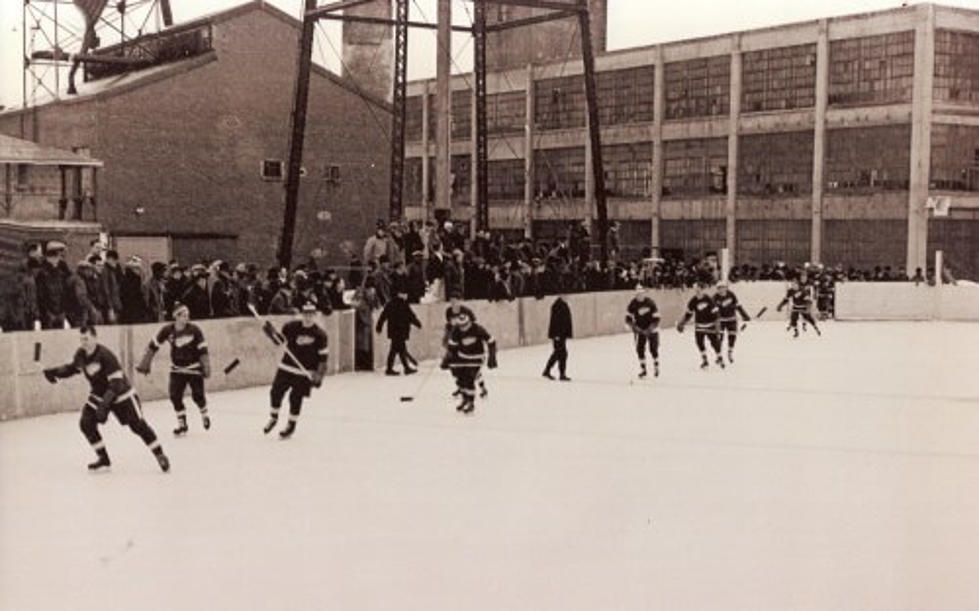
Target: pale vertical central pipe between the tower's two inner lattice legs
[{"x": 443, "y": 108}]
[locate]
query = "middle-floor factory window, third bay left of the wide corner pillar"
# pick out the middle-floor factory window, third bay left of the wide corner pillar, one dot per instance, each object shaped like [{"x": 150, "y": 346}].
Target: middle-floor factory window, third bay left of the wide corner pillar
[{"x": 695, "y": 167}]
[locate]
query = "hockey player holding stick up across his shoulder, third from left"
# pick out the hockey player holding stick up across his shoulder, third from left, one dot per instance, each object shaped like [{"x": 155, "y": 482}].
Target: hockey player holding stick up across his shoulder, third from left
[{"x": 302, "y": 367}]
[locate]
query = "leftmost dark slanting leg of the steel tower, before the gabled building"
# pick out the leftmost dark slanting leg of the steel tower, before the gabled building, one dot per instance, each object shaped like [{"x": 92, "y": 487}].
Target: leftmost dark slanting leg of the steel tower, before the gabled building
[{"x": 297, "y": 137}]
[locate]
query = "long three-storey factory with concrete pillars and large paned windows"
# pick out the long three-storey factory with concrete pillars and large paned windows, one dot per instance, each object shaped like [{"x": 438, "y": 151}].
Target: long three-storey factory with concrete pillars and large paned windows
[{"x": 818, "y": 141}]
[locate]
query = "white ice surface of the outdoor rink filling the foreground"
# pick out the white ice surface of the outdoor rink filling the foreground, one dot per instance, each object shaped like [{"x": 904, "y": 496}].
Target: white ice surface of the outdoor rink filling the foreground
[{"x": 829, "y": 473}]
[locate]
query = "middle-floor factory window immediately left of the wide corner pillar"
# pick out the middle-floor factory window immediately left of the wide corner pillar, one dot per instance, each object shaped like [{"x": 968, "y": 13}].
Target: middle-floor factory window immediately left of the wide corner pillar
[{"x": 868, "y": 159}]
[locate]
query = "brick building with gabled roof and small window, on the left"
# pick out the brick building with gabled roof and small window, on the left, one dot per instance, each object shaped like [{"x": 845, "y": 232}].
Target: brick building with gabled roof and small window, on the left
[{"x": 195, "y": 148}]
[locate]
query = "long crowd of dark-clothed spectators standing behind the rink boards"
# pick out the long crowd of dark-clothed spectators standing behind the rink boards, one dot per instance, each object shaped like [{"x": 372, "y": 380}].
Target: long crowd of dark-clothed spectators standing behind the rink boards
[{"x": 424, "y": 261}]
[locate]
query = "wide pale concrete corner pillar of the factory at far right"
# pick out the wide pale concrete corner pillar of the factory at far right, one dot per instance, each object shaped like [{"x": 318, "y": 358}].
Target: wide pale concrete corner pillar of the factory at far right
[{"x": 921, "y": 111}]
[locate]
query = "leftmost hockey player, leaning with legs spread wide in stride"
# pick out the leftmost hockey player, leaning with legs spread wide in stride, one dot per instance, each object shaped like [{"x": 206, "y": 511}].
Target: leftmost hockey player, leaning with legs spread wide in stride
[{"x": 110, "y": 392}]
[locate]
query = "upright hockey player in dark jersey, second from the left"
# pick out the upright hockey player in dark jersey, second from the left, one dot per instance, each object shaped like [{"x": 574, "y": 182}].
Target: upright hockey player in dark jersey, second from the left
[{"x": 190, "y": 364}]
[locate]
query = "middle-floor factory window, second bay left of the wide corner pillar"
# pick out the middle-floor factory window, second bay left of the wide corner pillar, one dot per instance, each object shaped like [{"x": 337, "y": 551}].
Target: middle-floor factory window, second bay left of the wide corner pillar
[{"x": 775, "y": 165}]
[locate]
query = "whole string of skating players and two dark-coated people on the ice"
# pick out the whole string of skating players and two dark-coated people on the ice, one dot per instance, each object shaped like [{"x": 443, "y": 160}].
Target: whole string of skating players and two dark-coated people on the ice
[{"x": 467, "y": 348}]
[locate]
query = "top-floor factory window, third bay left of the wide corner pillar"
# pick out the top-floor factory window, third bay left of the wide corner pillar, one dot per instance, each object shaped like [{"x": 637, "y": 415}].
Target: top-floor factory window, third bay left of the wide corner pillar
[{"x": 698, "y": 87}]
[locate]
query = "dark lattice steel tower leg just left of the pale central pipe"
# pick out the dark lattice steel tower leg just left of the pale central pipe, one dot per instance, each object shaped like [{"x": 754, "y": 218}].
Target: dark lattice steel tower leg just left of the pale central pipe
[{"x": 396, "y": 209}]
